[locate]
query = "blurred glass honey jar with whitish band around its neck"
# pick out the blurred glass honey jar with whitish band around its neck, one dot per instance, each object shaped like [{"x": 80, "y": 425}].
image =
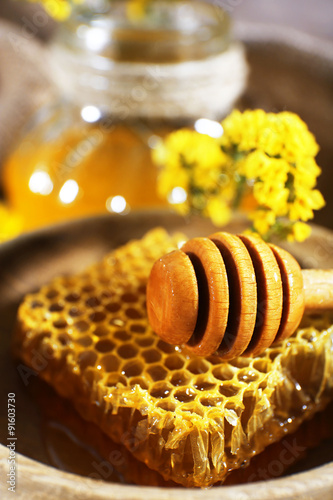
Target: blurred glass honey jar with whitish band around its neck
[{"x": 125, "y": 79}]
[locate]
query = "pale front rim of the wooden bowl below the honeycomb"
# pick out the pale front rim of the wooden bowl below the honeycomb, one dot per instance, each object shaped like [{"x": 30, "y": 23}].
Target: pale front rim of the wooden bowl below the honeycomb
[{"x": 38, "y": 481}]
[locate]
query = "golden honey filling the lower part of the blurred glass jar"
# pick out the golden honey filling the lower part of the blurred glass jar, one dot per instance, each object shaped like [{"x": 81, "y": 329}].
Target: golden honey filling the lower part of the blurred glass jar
[{"x": 84, "y": 171}]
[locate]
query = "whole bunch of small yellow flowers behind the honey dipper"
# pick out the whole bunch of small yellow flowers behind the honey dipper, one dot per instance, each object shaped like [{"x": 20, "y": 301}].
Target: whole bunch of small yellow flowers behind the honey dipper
[{"x": 263, "y": 163}]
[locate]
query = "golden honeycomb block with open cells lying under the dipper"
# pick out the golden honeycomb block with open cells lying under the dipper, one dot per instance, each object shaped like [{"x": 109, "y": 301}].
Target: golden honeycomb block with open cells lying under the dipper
[{"x": 192, "y": 419}]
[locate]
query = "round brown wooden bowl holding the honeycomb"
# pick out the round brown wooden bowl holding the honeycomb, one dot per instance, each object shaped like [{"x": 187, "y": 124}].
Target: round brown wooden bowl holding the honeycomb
[{"x": 28, "y": 262}]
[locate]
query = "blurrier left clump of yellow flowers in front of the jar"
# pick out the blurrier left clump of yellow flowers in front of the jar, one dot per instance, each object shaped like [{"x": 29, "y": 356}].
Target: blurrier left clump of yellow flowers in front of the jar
[{"x": 197, "y": 173}]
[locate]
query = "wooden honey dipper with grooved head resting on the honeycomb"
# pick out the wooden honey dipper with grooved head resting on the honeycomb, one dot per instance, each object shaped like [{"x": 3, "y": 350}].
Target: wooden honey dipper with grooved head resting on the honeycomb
[{"x": 232, "y": 295}]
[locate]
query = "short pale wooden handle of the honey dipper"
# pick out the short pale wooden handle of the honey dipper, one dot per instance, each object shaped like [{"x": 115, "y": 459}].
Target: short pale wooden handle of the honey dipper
[{"x": 318, "y": 289}]
